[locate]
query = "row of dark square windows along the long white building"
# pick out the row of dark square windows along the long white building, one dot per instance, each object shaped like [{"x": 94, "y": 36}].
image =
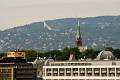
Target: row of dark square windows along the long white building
[{"x": 83, "y": 72}]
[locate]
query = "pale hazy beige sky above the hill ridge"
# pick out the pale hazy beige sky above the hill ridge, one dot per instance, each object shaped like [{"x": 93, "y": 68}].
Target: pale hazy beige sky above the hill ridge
[{"x": 20, "y": 12}]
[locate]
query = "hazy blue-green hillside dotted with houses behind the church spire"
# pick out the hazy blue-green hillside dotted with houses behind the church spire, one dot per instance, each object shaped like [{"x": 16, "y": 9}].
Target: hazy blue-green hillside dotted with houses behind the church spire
[{"x": 60, "y": 33}]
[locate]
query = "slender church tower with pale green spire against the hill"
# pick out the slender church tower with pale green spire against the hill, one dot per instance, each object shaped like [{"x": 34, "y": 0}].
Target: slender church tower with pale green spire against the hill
[{"x": 78, "y": 41}]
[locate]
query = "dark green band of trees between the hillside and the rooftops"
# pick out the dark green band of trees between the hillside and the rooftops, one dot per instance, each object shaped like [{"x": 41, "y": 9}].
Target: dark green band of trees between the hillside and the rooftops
[{"x": 64, "y": 54}]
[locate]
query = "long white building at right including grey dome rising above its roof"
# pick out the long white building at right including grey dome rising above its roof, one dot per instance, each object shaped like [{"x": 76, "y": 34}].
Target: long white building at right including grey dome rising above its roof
[{"x": 104, "y": 67}]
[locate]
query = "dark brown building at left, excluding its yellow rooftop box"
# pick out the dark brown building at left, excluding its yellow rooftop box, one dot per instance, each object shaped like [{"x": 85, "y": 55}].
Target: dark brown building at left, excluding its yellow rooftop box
[{"x": 17, "y": 71}]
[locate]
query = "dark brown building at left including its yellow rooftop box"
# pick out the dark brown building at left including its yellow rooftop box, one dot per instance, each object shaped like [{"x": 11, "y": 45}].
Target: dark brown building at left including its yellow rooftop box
[{"x": 16, "y": 67}]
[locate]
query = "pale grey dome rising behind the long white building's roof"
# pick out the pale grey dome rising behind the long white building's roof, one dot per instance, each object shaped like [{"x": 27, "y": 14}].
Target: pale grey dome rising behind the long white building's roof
[{"x": 105, "y": 55}]
